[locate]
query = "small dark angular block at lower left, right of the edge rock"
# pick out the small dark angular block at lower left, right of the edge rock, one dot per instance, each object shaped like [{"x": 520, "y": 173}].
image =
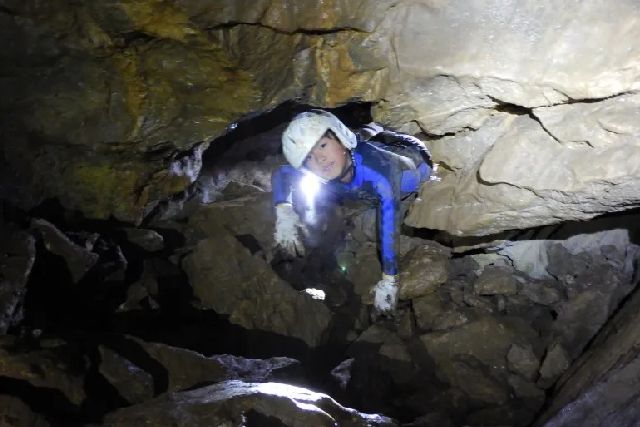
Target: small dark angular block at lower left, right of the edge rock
[{"x": 133, "y": 383}]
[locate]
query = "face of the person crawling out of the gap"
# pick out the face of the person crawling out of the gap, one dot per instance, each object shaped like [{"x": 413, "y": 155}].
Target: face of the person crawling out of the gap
[{"x": 328, "y": 159}]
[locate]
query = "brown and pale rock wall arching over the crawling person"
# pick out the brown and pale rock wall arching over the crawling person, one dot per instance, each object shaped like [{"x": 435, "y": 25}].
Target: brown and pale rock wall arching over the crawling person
[{"x": 530, "y": 108}]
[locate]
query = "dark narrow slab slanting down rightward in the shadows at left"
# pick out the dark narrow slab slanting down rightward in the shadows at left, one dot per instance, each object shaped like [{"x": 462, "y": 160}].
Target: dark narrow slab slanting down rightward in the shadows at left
[{"x": 79, "y": 260}]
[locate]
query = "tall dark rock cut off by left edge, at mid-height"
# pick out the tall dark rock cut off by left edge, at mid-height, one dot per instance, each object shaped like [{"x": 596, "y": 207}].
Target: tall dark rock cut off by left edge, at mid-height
[{"x": 17, "y": 255}]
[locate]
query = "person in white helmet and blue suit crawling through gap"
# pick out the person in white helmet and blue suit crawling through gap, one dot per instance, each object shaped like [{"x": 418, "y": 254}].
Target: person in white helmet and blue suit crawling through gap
[{"x": 374, "y": 164}]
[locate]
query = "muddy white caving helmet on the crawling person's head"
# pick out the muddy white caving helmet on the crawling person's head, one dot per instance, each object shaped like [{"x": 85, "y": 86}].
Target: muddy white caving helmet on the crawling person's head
[{"x": 306, "y": 129}]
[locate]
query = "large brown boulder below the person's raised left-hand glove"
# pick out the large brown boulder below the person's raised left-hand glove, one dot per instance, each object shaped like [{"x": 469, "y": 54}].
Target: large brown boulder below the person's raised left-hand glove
[{"x": 226, "y": 277}]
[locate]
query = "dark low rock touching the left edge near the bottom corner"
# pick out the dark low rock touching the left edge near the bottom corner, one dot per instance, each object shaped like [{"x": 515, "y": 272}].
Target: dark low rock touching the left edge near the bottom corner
[{"x": 58, "y": 367}]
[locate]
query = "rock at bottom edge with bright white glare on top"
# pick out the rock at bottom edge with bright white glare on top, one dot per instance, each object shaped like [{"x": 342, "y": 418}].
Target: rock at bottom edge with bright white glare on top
[{"x": 237, "y": 402}]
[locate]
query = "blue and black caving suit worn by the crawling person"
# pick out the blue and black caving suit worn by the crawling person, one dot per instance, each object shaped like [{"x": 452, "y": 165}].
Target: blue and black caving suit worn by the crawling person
[{"x": 387, "y": 168}]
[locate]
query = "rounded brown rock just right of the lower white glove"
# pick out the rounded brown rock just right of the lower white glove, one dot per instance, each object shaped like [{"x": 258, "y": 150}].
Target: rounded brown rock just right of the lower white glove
[{"x": 424, "y": 269}]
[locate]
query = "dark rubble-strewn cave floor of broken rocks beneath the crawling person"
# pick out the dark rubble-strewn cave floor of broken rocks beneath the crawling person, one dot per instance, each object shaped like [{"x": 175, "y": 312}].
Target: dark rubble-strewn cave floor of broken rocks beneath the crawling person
[{"x": 194, "y": 320}]
